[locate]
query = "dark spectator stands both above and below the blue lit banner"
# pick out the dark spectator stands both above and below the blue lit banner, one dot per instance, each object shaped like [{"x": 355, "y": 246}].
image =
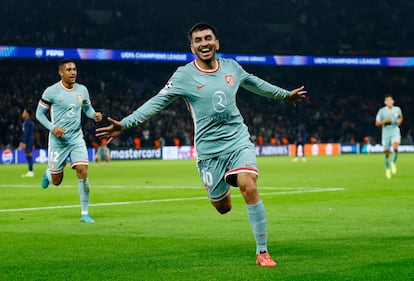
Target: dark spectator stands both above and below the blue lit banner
[{"x": 342, "y": 102}]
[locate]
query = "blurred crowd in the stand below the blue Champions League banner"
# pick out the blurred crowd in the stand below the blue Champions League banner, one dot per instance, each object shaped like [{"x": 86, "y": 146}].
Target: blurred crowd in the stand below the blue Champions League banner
[{"x": 341, "y": 106}]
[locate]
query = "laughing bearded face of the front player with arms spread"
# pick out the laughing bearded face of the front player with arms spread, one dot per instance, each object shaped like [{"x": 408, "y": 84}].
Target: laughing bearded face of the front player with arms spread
[{"x": 204, "y": 45}]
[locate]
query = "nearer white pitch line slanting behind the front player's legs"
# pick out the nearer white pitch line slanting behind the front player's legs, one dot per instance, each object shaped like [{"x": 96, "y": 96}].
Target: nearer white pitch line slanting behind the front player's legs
[{"x": 315, "y": 190}]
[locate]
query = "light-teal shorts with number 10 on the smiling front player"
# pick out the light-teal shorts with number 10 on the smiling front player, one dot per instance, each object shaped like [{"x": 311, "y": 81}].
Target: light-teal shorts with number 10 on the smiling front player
[{"x": 219, "y": 173}]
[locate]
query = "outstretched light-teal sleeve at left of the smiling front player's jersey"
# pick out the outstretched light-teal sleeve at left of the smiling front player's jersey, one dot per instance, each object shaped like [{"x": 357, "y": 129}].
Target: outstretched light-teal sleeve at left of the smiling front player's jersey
[{"x": 171, "y": 91}]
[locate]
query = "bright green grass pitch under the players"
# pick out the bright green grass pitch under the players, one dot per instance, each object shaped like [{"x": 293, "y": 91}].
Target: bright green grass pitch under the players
[{"x": 364, "y": 231}]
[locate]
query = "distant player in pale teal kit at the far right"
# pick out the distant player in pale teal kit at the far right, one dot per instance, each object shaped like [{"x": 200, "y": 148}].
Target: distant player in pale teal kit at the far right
[{"x": 389, "y": 118}]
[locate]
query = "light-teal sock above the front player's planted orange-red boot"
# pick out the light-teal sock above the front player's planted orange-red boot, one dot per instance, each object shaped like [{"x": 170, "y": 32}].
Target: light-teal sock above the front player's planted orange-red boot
[{"x": 257, "y": 219}]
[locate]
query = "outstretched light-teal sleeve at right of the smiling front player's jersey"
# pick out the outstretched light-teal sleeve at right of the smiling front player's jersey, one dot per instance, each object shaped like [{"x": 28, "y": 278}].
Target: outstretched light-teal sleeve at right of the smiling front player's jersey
[{"x": 259, "y": 86}]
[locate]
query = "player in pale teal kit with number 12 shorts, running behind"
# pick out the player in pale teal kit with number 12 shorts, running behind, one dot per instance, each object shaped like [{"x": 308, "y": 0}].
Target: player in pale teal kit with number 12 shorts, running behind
[{"x": 66, "y": 100}]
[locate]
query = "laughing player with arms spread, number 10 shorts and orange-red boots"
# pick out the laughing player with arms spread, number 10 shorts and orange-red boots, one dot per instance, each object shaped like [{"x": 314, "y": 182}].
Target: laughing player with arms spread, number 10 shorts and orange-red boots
[{"x": 226, "y": 156}]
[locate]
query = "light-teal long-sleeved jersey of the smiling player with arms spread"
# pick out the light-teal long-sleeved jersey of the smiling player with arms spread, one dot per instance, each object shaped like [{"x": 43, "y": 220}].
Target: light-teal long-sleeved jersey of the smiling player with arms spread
[{"x": 211, "y": 98}]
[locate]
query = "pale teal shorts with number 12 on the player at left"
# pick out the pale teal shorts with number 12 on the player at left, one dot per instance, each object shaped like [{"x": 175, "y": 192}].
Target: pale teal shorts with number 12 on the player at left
[{"x": 59, "y": 152}]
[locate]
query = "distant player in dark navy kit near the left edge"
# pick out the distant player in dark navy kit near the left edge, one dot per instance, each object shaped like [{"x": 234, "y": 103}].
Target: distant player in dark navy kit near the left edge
[{"x": 27, "y": 140}]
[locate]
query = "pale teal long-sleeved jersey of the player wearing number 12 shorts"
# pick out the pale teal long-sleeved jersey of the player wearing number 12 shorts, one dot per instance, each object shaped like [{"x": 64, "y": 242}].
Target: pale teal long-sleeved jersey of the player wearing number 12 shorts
[{"x": 65, "y": 107}]
